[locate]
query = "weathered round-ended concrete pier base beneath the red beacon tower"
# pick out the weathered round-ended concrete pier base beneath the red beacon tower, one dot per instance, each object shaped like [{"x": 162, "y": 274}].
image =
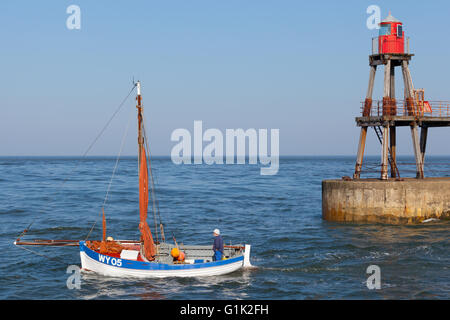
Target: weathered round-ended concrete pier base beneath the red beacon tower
[{"x": 386, "y": 201}]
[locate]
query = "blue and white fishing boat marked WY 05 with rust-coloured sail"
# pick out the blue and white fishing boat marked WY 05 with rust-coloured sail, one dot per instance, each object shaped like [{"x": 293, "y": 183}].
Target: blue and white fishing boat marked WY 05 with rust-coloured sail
[{"x": 148, "y": 257}]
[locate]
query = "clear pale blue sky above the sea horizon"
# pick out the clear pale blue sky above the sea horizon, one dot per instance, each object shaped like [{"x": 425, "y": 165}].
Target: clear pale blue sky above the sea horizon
[{"x": 301, "y": 67}]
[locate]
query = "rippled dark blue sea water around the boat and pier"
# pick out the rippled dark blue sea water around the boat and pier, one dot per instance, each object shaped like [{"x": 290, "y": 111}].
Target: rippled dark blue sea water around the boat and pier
[{"x": 297, "y": 254}]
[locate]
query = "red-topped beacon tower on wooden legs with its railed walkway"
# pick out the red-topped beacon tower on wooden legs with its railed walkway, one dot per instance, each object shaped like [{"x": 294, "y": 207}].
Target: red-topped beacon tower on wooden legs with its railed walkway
[{"x": 391, "y": 49}]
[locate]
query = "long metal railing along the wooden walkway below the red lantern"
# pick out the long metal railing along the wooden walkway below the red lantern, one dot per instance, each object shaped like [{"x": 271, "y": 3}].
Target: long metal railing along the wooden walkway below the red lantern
[{"x": 403, "y": 108}]
